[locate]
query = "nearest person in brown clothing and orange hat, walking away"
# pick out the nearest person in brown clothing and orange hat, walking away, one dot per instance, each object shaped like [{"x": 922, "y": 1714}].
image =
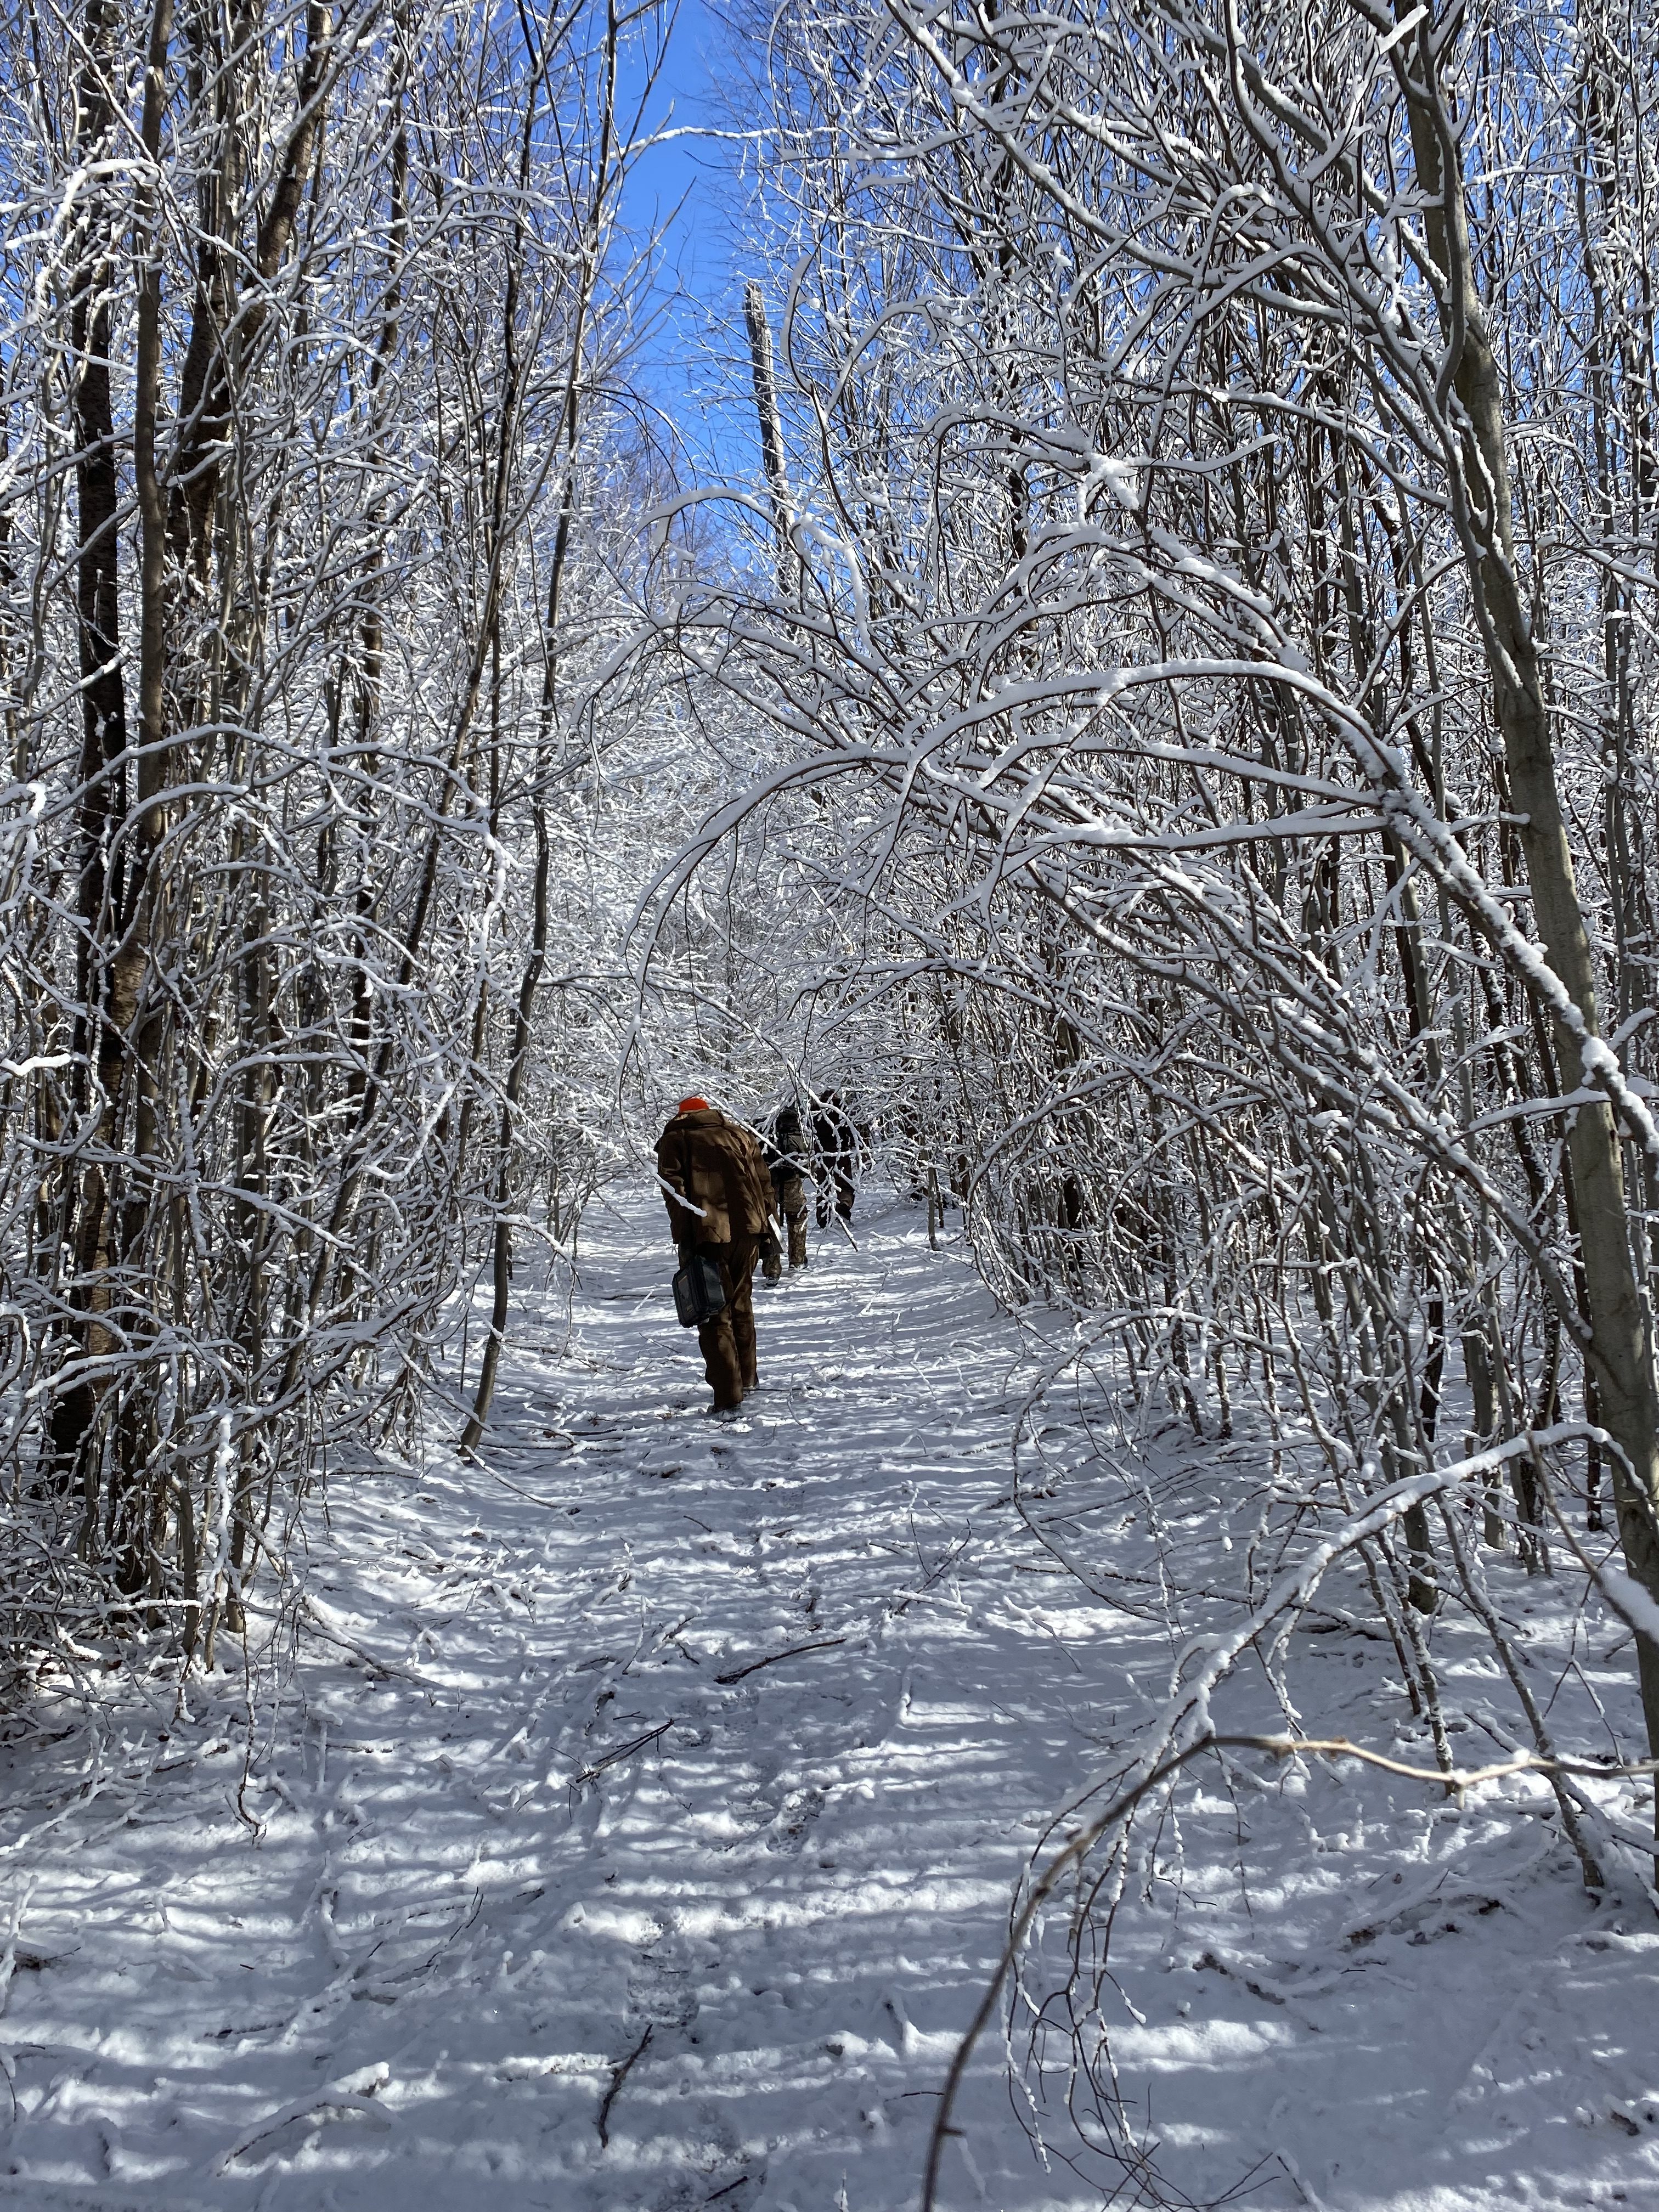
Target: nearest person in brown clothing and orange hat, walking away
[{"x": 720, "y": 1202}]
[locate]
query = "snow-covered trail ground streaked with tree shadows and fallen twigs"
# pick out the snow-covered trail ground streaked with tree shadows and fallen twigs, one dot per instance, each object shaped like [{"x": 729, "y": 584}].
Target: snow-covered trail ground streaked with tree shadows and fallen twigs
[{"x": 643, "y": 1819}]
